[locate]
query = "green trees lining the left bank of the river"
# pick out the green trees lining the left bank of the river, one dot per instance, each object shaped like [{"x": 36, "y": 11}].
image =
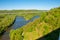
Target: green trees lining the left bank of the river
[{"x": 6, "y": 20}]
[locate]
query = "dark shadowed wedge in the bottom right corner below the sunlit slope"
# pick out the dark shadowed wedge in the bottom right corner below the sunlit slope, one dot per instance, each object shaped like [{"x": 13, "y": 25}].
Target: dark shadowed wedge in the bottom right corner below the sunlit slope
[{"x": 54, "y": 35}]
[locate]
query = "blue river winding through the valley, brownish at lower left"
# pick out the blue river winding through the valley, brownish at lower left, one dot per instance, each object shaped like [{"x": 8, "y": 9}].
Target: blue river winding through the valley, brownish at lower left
[{"x": 19, "y": 22}]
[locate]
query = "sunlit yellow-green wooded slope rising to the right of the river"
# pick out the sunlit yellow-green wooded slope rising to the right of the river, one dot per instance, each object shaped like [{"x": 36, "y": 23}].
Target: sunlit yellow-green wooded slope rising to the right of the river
[{"x": 46, "y": 23}]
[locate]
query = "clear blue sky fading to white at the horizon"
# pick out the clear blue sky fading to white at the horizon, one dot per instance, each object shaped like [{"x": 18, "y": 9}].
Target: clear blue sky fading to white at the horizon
[{"x": 28, "y": 4}]
